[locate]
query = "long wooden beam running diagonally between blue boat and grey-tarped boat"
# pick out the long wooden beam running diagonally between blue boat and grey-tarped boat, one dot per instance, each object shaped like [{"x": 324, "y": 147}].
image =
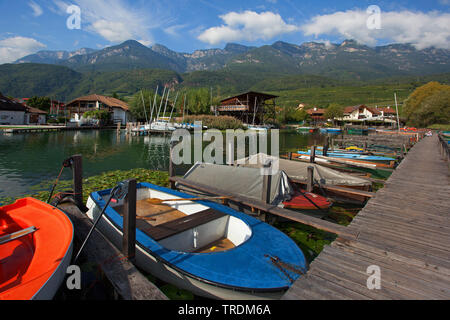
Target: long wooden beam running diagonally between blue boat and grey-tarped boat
[{"x": 297, "y": 216}]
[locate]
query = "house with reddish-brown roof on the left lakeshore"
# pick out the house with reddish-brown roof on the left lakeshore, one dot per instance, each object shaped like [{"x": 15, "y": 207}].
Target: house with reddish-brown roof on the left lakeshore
[{"x": 118, "y": 109}]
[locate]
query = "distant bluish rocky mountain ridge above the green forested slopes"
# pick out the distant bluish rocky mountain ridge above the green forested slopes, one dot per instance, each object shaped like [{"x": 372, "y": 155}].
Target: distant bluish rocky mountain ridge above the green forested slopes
[{"x": 346, "y": 61}]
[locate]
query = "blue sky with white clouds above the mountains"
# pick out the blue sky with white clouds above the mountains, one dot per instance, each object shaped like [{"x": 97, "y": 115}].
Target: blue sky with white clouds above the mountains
[{"x": 28, "y": 26}]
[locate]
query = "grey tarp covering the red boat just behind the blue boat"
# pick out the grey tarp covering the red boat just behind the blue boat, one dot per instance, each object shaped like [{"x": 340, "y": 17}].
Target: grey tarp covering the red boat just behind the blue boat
[{"x": 247, "y": 182}]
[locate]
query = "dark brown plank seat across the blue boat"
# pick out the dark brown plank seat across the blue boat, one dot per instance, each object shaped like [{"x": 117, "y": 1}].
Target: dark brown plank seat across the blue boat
[{"x": 180, "y": 225}]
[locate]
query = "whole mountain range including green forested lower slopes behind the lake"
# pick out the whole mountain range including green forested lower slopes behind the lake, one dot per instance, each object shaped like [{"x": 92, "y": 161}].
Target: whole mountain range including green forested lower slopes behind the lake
[{"x": 314, "y": 73}]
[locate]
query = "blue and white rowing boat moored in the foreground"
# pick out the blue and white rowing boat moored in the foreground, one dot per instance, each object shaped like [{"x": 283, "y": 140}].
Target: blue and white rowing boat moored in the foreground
[{"x": 204, "y": 247}]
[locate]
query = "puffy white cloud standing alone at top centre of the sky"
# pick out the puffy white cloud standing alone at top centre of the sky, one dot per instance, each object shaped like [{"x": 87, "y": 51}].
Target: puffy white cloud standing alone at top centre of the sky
[{"x": 248, "y": 25}]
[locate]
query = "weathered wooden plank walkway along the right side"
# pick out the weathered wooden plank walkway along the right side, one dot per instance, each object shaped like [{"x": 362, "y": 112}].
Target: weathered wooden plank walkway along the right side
[{"x": 404, "y": 230}]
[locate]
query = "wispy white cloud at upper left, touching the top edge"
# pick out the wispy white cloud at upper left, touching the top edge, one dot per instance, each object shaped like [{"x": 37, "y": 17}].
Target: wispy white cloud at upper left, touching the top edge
[{"x": 115, "y": 20}]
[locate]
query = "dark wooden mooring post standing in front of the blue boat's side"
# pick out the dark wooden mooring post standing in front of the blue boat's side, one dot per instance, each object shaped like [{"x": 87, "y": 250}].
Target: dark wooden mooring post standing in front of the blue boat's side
[{"x": 129, "y": 221}]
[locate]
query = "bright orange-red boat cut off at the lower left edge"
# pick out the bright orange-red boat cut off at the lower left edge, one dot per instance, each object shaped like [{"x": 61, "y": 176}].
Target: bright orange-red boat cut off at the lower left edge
[{"x": 35, "y": 250}]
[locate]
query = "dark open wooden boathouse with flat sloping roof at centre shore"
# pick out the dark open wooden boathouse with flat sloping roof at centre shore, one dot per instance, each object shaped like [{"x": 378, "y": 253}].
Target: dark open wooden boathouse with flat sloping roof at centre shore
[{"x": 250, "y": 107}]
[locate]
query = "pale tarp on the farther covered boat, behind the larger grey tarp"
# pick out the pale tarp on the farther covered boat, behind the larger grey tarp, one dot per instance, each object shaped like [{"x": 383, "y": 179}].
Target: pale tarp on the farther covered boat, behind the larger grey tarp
[{"x": 299, "y": 170}]
